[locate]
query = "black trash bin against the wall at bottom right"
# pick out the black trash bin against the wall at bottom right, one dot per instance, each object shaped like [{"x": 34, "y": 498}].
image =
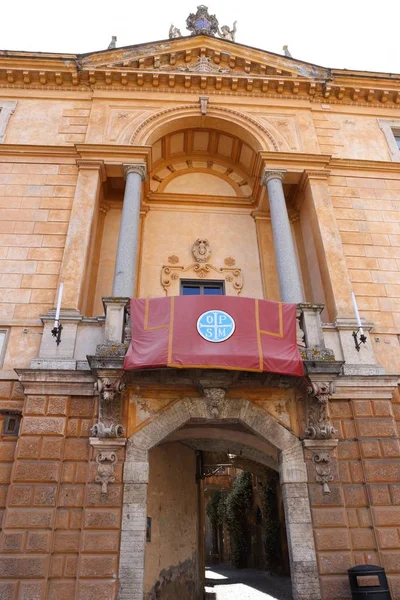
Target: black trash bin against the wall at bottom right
[{"x": 368, "y": 582}]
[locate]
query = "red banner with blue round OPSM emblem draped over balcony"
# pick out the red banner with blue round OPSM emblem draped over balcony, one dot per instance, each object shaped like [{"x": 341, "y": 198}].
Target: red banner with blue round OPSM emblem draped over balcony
[{"x": 214, "y": 332}]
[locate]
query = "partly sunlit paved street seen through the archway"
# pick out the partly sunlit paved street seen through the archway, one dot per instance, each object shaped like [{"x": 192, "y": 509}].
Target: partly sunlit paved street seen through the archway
[{"x": 227, "y": 583}]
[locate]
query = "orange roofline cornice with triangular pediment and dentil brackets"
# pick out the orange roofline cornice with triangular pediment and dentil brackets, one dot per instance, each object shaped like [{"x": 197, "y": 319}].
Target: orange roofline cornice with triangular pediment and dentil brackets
[{"x": 196, "y": 63}]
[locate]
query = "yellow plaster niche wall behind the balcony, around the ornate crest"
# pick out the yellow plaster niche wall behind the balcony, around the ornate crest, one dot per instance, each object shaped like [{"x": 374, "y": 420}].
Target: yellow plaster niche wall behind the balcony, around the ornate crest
[{"x": 173, "y": 231}]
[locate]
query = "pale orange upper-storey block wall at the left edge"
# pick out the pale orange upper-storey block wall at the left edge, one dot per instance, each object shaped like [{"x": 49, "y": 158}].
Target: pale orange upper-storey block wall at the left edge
[{"x": 35, "y": 204}]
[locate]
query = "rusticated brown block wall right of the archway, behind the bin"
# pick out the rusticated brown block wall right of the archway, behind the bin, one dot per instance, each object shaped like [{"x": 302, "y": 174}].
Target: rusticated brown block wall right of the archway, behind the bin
[{"x": 359, "y": 522}]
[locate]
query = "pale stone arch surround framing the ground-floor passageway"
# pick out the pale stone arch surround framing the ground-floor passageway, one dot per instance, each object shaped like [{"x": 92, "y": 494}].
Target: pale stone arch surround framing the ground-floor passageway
[{"x": 293, "y": 478}]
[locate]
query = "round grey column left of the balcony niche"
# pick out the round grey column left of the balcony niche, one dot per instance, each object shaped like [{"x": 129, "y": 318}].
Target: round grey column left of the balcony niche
[{"x": 125, "y": 265}]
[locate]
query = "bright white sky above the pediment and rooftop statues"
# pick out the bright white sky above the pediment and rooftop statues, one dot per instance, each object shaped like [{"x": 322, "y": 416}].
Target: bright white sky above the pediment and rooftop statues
[{"x": 351, "y": 34}]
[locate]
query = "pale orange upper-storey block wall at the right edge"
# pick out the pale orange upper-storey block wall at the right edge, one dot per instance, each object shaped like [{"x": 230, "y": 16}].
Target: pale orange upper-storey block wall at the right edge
[{"x": 367, "y": 210}]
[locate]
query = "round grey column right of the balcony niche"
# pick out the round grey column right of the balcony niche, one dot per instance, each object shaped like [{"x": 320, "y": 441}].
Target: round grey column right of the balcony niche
[{"x": 286, "y": 258}]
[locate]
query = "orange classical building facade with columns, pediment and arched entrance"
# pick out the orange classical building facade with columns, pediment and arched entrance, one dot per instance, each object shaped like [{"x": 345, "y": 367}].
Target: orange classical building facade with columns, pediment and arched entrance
[{"x": 193, "y": 161}]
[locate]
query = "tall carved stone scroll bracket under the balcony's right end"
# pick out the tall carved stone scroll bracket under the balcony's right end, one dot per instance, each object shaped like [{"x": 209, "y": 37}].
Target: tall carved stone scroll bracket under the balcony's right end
[{"x": 319, "y": 426}]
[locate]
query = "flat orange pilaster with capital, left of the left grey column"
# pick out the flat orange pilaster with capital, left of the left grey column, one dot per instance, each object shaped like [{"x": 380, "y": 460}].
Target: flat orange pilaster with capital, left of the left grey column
[{"x": 77, "y": 246}]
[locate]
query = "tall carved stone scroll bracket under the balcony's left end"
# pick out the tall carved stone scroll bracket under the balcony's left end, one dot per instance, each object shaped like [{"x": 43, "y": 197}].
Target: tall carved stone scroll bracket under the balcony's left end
[{"x": 110, "y": 408}]
